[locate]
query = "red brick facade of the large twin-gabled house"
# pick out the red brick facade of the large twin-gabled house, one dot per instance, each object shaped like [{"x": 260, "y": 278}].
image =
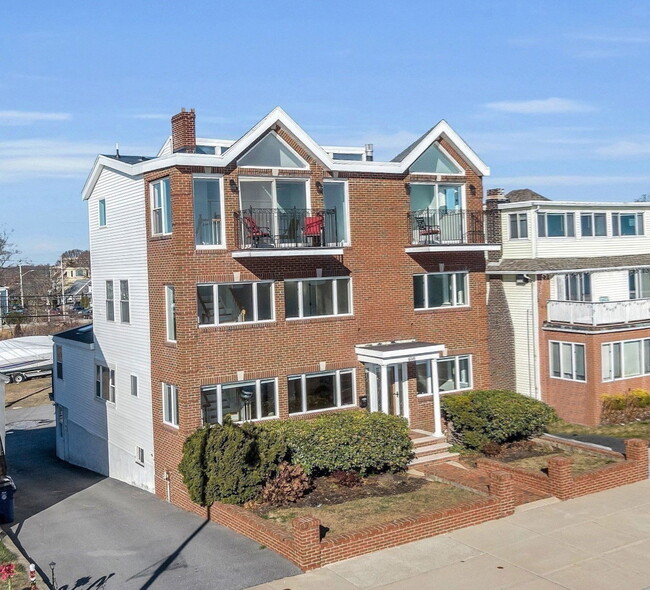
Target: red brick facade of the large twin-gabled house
[{"x": 382, "y": 295}]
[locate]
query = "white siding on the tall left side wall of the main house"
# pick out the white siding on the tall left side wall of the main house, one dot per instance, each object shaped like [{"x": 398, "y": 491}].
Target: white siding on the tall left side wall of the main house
[{"x": 119, "y": 252}]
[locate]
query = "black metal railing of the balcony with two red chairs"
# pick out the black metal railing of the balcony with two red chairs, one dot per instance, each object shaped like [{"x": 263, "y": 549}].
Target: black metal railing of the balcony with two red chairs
[{"x": 286, "y": 228}]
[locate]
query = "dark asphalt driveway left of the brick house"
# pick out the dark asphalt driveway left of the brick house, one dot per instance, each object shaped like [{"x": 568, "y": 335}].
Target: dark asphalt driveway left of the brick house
[{"x": 104, "y": 534}]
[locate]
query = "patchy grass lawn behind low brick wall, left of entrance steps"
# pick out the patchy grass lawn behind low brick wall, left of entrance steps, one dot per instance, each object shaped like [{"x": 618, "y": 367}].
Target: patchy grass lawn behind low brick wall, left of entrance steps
[{"x": 357, "y": 514}]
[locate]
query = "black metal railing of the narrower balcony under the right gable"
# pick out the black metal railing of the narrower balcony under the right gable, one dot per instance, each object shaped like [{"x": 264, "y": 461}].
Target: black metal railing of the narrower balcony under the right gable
[{"x": 440, "y": 226}]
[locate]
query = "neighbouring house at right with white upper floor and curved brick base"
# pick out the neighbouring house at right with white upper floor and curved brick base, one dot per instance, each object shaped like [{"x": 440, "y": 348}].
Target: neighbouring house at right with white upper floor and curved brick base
[{"x": 569, "y": 300}]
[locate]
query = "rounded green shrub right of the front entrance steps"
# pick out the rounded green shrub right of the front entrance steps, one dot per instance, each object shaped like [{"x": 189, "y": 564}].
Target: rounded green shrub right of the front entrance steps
[{"x": 495, "y": 416}]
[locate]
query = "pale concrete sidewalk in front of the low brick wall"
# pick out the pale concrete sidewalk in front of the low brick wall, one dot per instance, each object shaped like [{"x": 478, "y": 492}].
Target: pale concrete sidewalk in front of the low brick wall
[{"x": 596, "y": 542}]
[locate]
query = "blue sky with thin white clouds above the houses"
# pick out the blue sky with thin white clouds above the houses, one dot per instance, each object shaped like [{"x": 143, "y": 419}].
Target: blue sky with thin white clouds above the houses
[{"x": 552, "y": 95}]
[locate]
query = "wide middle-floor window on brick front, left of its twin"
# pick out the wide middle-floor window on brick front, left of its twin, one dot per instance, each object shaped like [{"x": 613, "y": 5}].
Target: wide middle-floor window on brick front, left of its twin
[{"x": 232, "y": 303}]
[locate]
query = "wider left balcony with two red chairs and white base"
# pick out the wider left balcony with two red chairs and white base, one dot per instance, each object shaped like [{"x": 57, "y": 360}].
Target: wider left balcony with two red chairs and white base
[{"x": 287, "y": 232}]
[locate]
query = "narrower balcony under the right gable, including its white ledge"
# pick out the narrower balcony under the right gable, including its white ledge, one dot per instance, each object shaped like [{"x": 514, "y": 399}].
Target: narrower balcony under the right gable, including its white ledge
[{"x": 442, "y": 230}]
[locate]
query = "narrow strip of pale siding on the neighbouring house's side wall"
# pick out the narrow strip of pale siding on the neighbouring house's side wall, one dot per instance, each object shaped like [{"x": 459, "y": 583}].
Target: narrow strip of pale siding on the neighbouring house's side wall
[{"x": 520, "y": 304}]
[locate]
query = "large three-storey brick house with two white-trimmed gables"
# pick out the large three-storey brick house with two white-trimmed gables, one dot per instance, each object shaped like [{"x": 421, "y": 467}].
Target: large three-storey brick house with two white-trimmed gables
[{"x": 272, "y": 277}]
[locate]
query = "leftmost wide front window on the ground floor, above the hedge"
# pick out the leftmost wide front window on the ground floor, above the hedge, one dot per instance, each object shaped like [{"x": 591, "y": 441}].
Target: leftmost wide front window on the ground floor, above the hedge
[{"x": 241, "y": 401}]
